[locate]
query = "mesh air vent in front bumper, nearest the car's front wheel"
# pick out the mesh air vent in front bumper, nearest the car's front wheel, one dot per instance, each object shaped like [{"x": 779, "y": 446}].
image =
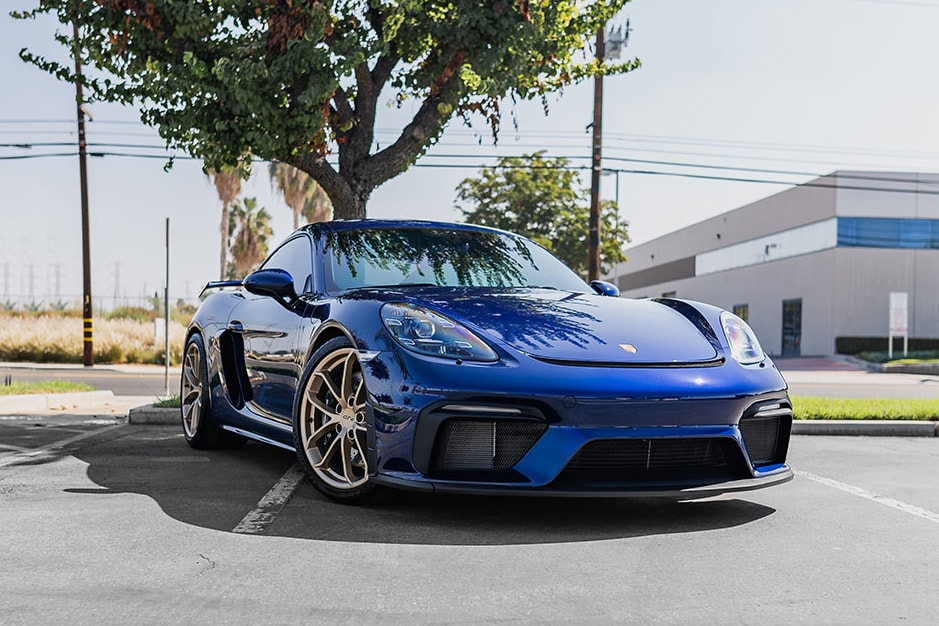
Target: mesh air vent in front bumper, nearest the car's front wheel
[{"x": 477, "y": 445}]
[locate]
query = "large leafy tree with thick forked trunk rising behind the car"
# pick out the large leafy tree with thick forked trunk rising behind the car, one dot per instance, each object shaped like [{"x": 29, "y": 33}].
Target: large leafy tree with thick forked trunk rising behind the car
[{"x": 299, "y": 81}]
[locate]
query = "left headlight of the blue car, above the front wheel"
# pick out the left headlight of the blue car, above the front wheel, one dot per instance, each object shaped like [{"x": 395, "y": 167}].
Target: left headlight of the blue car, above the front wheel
[{"x": 430, "y": 333}]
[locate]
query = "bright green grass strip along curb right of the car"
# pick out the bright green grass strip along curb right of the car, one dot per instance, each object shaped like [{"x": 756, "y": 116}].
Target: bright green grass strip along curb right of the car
[{"x": 922, "y": 409}]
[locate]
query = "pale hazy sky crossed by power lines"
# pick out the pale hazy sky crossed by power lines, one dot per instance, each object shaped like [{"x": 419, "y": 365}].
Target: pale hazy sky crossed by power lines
[{"x": 794, "y": 89}]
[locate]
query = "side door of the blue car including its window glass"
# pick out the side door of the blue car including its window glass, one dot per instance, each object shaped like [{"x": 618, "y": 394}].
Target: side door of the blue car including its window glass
[{"x": 270, "y": 328}]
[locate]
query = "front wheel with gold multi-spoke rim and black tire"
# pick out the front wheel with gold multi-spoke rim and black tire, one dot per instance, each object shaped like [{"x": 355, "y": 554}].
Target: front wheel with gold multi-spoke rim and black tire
[{"x": 330, "y": 428}]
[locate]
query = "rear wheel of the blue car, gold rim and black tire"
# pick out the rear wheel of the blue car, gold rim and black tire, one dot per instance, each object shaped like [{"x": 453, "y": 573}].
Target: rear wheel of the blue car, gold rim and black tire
[{"x": 199, "y": 427}]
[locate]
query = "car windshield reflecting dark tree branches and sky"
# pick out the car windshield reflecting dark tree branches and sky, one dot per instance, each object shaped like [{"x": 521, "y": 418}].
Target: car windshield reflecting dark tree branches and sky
[{"x": 383, "y": 257}]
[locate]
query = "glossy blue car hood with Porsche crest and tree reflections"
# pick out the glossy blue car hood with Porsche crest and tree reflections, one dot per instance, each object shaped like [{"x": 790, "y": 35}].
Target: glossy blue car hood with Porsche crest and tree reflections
[{"x": 583, "y": 328}]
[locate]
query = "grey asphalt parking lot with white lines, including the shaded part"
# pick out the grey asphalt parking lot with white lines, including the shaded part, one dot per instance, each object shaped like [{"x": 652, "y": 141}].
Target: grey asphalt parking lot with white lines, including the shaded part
[{"x": 108, "y": 522}]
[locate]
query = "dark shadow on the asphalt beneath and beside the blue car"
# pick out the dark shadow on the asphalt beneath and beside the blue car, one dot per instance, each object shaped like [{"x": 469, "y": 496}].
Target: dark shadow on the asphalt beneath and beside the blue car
[{"x": 216, "y": 489}]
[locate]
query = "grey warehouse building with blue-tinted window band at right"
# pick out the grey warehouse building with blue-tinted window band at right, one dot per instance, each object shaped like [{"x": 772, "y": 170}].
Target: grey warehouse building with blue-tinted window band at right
[{"x": 812, "y": 268}]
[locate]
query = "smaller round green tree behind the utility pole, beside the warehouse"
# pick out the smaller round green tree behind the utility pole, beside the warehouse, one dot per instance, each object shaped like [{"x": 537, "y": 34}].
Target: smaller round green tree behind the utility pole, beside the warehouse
[{"x": 540, "y": 198}]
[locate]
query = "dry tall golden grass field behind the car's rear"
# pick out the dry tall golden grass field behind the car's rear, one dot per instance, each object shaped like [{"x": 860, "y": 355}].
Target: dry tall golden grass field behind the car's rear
[{"x": 57, "y": 339}]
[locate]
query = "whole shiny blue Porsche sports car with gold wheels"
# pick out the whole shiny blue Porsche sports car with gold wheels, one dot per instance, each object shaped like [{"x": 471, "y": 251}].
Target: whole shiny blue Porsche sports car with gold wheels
[{"x": 455, "y": 358}]
